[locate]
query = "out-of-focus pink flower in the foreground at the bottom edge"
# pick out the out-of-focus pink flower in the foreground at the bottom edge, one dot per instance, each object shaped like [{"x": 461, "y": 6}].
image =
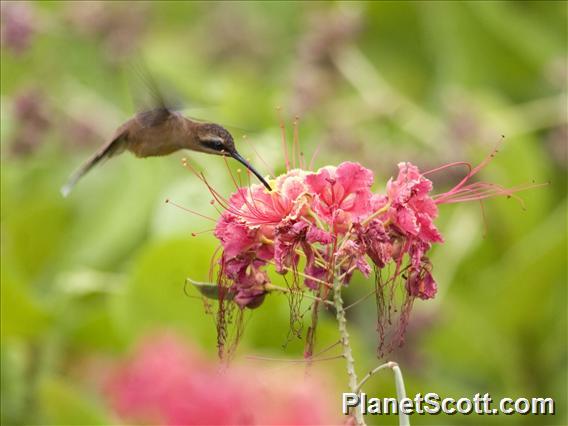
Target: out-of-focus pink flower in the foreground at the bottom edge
[{"x": 166, "y": 382}]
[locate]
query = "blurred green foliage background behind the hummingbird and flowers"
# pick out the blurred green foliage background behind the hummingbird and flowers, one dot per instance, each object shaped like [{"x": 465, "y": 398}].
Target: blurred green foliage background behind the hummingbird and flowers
[{"x": 84, "y": 278}]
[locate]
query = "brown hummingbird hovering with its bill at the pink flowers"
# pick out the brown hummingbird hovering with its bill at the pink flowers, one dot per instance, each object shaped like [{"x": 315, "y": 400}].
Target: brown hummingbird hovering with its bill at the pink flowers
[{"x": 161, "y": 131}]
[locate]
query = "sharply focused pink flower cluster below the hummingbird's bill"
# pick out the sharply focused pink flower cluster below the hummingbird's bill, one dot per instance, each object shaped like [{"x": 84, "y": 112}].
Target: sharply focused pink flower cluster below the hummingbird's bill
[{"x": 328, "y": 222}]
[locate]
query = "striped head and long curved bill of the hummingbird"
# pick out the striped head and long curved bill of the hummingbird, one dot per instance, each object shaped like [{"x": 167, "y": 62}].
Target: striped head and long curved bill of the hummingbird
[{"x": 215, "y": 139}]
